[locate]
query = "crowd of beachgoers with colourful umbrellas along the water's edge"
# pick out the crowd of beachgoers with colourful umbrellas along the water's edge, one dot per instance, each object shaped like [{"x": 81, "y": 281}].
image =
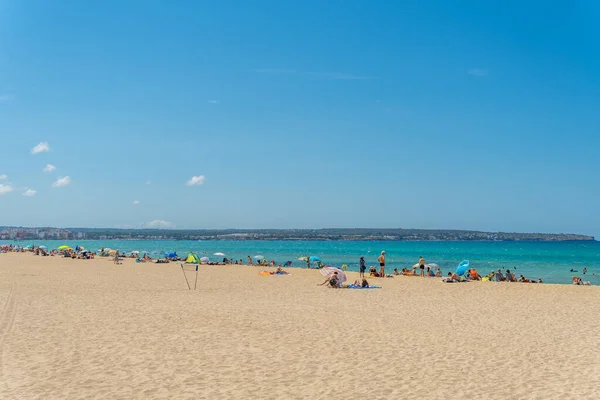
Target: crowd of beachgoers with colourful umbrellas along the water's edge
[{"x": 335, "y": 276}]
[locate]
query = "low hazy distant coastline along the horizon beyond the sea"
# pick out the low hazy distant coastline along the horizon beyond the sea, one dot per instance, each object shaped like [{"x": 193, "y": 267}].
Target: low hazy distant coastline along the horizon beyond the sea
[{"x": 343, "y": 234}]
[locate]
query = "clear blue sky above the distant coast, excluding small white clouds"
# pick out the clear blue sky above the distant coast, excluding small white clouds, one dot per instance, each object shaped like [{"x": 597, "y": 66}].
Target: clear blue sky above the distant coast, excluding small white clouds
[{"x": 423, "y": 114}]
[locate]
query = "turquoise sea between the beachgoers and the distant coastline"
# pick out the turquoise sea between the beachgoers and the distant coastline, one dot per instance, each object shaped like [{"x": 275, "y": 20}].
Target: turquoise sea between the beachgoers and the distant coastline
[{"x": 551, "y": 261}]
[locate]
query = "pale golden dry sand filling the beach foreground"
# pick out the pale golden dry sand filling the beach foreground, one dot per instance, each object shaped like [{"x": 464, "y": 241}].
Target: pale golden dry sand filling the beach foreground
[{"x": 91, "y": 329}]
